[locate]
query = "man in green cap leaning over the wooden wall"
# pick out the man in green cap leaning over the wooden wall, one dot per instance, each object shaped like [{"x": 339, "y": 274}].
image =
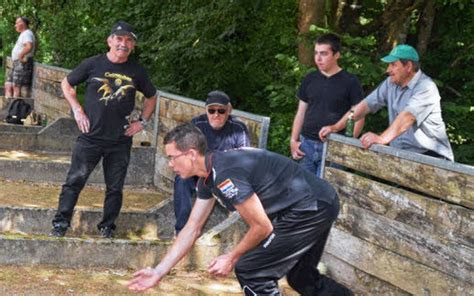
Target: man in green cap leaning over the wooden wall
[{"x": 414, "y": 109}]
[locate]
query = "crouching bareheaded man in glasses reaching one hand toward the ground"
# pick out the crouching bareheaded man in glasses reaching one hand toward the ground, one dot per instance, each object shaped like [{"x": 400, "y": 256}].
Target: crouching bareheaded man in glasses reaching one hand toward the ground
[{"x": 288, "y": 210}]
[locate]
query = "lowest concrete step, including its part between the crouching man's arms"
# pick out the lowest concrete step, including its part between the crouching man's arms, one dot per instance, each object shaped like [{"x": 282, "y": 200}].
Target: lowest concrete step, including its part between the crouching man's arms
[{"x": 131, "y": 252}]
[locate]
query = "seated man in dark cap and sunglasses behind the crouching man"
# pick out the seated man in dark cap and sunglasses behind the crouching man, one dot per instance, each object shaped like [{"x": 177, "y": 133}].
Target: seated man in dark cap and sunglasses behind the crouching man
[{"x": 223, "y": 132}]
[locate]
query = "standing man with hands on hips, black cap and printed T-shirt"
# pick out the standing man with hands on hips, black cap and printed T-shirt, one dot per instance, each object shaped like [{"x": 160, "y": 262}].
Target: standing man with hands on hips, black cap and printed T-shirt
[{"x": 112, "y": 80}]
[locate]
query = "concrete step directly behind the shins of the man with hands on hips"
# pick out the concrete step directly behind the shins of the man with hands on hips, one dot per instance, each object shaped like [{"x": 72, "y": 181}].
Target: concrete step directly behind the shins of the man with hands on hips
[{"x": 146, "y": 213}]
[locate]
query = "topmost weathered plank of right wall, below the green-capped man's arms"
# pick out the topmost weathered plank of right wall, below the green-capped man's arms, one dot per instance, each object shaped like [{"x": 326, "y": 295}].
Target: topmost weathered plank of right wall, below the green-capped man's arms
[{"x": 442, "y": 183}]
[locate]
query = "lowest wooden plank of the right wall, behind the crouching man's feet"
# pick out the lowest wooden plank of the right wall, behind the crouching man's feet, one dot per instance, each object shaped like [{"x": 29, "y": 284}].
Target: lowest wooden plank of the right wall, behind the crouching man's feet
[{"x": 359, "y": 282}]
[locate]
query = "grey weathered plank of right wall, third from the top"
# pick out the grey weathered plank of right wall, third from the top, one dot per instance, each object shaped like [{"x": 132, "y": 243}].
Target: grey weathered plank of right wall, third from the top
[{"x": 445, "y": 256}]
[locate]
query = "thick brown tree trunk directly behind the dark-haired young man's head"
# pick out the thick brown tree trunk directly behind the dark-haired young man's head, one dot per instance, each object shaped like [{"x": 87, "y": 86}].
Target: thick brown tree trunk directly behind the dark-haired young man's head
[{"x": 311, "y": 12}]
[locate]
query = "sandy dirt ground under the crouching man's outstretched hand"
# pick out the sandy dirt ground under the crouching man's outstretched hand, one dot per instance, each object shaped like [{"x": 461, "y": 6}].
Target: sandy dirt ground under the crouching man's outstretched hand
[{"x": 44, "y": 280}]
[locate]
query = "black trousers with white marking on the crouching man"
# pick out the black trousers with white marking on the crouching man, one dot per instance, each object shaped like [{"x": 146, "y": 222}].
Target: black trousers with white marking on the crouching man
[{"x": 293, "y": 249}]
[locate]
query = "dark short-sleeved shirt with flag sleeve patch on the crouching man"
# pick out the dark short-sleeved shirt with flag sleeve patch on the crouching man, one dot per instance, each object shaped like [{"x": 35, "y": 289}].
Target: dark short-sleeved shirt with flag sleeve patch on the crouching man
[{"x": 279, "y": 182}]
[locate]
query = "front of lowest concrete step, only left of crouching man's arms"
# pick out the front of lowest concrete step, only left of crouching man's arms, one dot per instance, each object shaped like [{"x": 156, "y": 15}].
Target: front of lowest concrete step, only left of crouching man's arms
[{"x": 78, "y": 252}]
